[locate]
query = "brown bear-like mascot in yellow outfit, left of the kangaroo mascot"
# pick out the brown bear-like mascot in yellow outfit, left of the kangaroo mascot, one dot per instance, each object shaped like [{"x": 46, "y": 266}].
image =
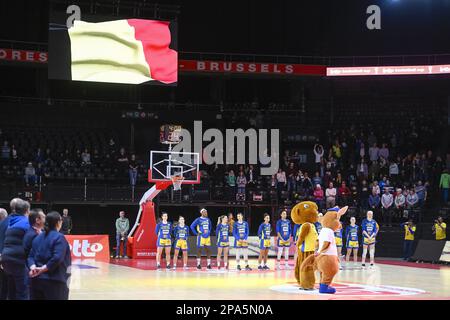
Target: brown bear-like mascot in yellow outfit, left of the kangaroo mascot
[{"x": 305, "y": 214}]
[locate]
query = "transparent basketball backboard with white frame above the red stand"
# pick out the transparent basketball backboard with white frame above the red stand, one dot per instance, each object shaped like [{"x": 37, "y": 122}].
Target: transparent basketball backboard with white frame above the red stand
[{"x": 166, "y": 164}]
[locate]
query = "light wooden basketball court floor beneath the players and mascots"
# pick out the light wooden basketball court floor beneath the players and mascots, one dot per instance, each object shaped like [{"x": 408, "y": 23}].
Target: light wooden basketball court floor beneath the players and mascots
[{"x": 138, "y": 280}]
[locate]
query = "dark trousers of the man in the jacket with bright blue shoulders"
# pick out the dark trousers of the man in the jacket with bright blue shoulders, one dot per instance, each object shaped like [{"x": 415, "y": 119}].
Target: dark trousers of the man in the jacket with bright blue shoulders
[{"x": 17, "y": 278}]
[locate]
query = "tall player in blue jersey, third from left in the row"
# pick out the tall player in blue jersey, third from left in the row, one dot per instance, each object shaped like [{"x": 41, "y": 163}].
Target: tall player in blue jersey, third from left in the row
[{"x": 201, "y": 227}]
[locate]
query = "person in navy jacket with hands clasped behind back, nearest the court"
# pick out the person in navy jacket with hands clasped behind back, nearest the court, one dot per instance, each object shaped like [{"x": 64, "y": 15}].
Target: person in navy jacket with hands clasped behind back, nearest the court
[{"x": 49, "y": 262}]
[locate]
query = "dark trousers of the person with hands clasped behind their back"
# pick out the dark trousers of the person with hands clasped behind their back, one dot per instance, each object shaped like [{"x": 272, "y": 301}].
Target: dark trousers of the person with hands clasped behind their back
[{"x": 42, "y": 289}]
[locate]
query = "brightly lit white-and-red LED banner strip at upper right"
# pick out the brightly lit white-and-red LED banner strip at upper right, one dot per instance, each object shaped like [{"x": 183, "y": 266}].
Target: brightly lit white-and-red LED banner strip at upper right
[{"x": 388, "y": 70}]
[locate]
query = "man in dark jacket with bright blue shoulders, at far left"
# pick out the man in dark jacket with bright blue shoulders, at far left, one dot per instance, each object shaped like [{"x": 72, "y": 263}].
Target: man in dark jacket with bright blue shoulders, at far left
[{"x": 13, "y": 254}]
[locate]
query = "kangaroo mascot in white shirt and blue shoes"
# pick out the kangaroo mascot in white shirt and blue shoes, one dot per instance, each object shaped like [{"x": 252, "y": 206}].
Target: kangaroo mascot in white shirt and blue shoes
[{"x": 326, "y": 260}]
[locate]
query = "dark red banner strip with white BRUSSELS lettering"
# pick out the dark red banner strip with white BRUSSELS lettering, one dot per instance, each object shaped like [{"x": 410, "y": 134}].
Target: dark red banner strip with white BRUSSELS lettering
[{"x": 251, "y": 68}]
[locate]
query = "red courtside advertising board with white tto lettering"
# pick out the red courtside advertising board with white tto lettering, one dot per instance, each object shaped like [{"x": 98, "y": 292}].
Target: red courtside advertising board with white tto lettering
[{"x": 89, "y": 247}]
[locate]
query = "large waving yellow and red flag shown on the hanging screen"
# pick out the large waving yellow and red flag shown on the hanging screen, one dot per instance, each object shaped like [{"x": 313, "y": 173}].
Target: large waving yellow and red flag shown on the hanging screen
[{"x": 123, "y": 51}]
